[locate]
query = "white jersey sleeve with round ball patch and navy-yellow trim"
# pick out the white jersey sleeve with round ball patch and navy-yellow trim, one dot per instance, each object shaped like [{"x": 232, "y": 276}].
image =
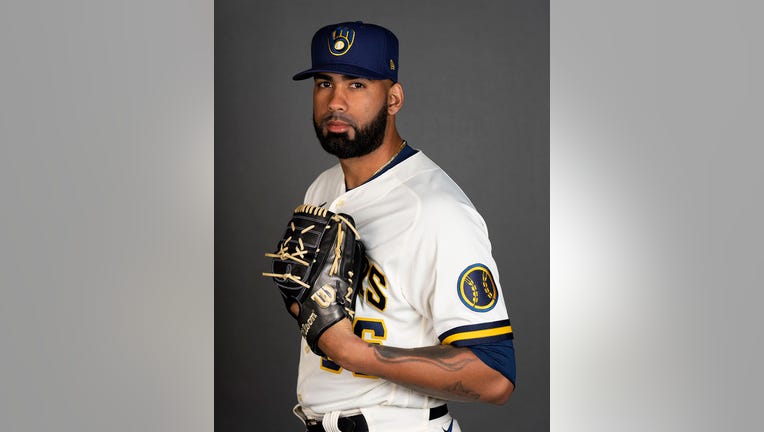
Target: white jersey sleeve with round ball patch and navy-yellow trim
[{"x": 464, "y": 296}]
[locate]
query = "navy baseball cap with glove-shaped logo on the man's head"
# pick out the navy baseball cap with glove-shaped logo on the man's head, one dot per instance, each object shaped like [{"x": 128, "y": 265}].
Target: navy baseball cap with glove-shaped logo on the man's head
[{"x": 355, "y": 49}]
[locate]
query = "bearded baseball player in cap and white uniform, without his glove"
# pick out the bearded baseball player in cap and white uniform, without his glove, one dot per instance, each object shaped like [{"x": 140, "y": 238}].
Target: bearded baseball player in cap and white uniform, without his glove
[{"x": 430, "y": 324}]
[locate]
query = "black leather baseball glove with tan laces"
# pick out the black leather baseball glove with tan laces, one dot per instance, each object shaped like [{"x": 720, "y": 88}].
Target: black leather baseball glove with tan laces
[{"x": 319, "y": 264}]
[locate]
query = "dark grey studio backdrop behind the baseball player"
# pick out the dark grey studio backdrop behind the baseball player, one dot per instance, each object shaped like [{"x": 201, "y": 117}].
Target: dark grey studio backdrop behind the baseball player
[{"x": 476, "y": 79}]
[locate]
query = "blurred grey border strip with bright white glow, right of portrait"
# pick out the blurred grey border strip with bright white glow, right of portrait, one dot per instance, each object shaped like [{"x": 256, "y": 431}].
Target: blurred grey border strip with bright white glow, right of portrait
[{"x": 656, "y": 210}]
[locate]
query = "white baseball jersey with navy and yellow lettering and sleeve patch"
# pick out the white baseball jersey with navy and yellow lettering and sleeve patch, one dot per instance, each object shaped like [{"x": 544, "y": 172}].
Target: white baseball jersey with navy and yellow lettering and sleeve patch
[{"x": 432, "y": 279}]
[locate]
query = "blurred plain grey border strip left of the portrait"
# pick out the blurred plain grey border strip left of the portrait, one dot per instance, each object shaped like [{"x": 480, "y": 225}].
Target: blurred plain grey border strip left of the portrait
[{"x": 106, "y": 239}]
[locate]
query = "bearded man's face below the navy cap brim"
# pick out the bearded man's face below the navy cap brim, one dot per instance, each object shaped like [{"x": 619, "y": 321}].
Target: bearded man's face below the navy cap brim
[{"x": 349, "y": 114}]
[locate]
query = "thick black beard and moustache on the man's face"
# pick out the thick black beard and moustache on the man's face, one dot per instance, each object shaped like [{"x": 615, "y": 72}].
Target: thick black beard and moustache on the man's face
[{"x": 366, "y": 140}]
